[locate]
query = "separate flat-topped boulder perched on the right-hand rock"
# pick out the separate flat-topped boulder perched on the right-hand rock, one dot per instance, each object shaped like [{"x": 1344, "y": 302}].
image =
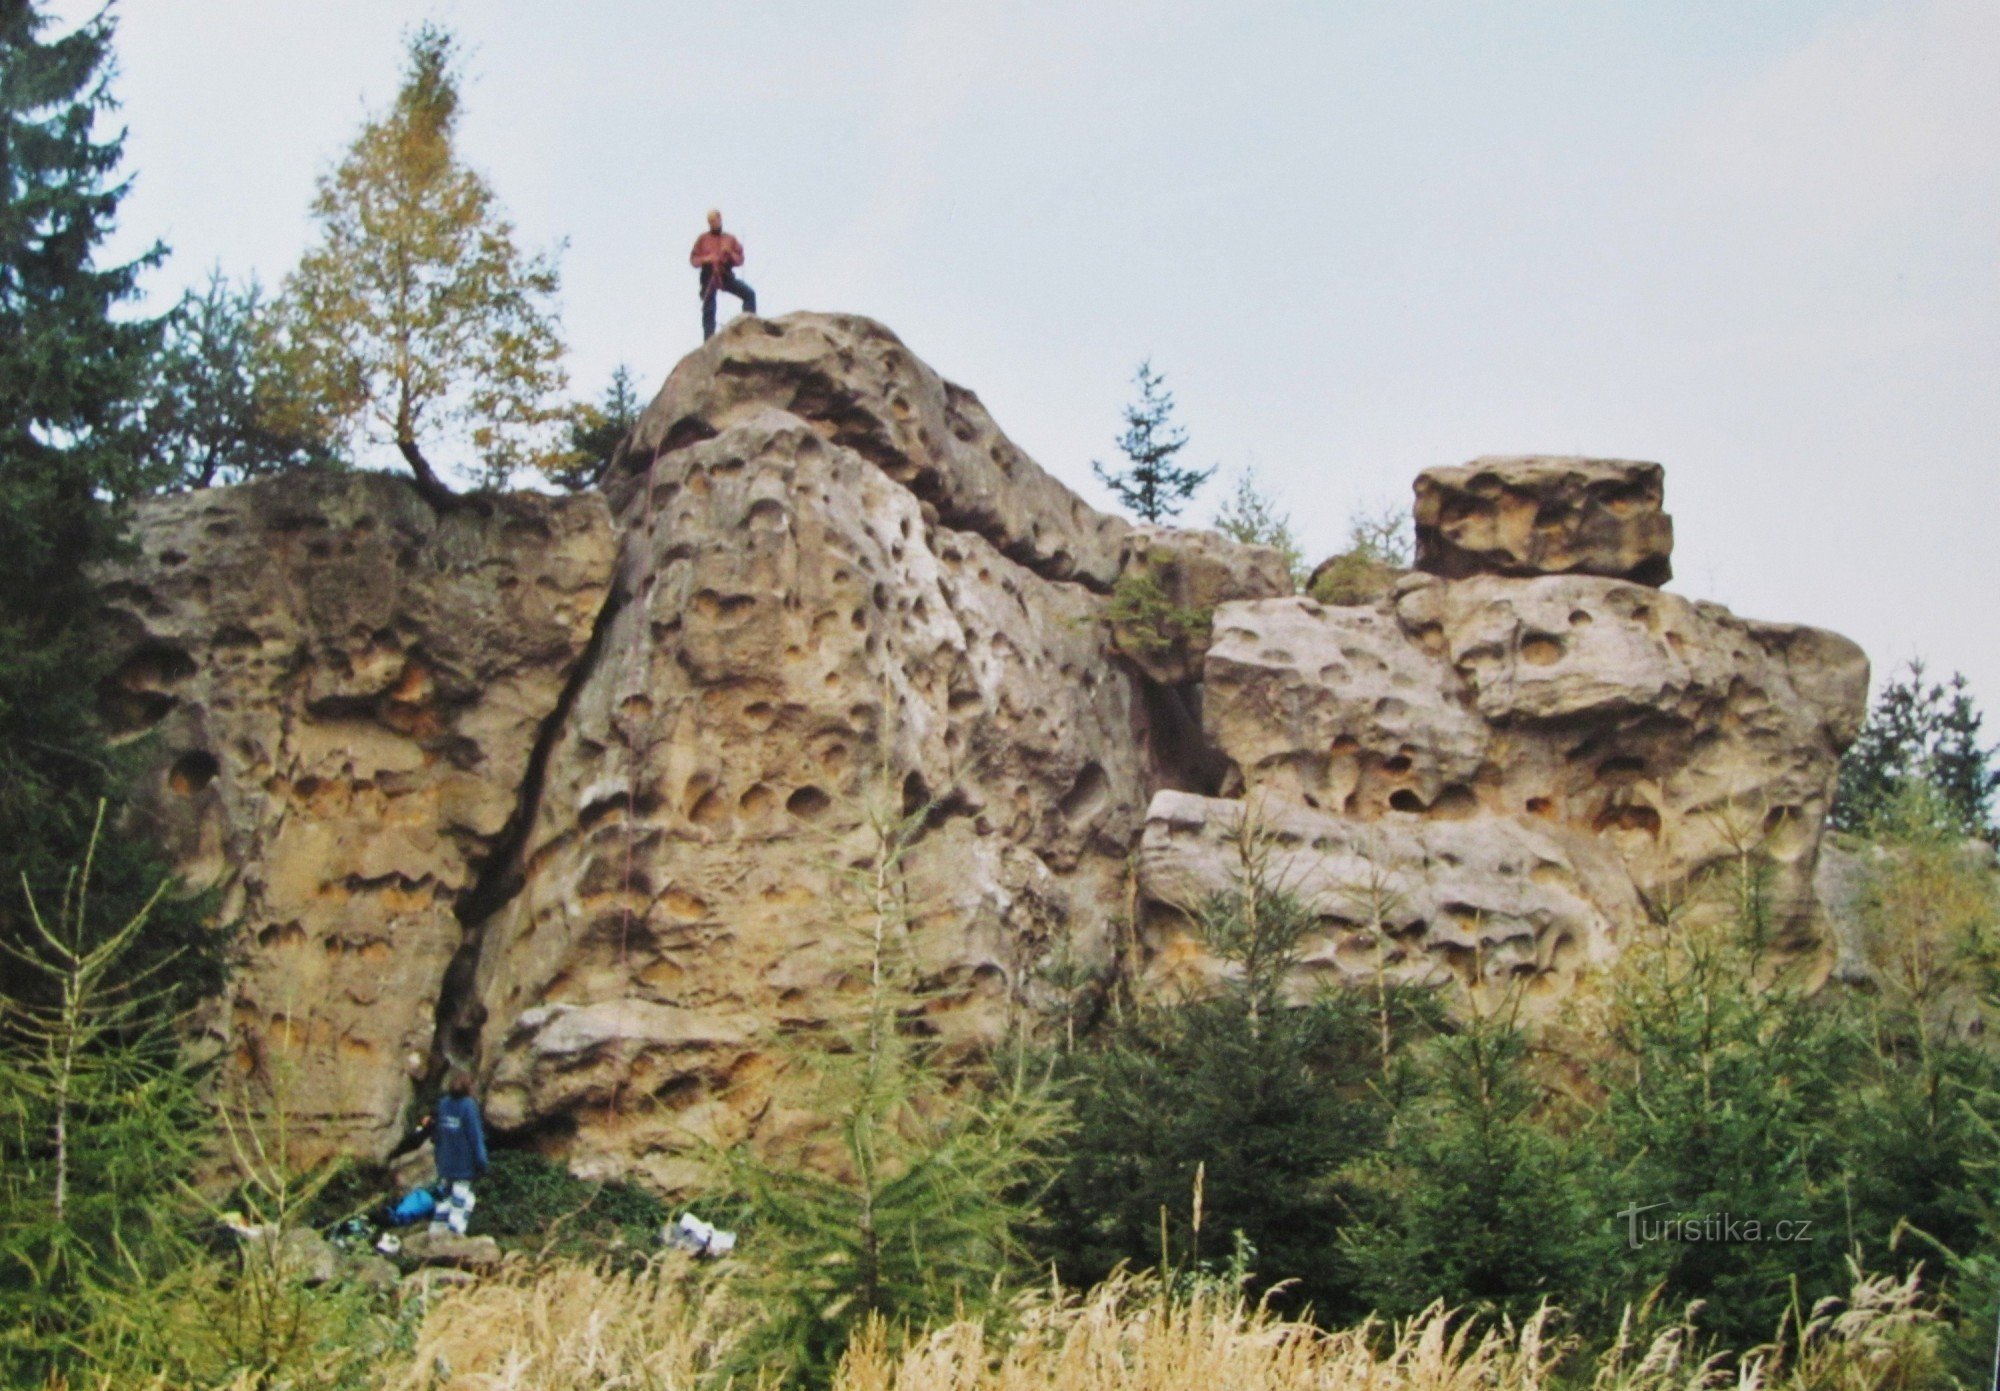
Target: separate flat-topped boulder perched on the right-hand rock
[{"x": 1545, "y": 517}]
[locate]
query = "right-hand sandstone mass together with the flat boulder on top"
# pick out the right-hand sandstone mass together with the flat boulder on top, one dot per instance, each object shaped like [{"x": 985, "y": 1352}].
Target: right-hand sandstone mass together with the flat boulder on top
[{"x": 1615, "y": 740}]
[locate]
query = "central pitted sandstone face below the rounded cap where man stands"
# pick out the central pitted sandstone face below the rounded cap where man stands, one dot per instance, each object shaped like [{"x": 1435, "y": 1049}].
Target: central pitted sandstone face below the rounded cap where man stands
[{"x": 797, "y": 635}]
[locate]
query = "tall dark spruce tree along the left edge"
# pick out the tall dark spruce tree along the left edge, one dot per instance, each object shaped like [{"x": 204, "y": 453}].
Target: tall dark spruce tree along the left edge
[{"x": 73, "y": 371}]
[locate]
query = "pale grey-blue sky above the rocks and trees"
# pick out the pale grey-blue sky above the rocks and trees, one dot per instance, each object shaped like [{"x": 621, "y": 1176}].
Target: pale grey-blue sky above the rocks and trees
[{"x": 1757, "y": 243}]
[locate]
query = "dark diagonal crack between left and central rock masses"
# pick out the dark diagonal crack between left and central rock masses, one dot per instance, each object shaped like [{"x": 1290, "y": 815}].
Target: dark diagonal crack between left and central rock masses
[{"x": 499, "y": 878}]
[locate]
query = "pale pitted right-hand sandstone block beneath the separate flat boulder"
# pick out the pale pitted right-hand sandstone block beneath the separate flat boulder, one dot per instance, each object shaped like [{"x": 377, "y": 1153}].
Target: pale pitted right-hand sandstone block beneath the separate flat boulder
[{"x": 1671, "y": 734}]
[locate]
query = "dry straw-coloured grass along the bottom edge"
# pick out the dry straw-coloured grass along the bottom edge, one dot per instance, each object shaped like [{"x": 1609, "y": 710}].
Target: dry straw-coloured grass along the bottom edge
[{"x": 569, "y": 1328}]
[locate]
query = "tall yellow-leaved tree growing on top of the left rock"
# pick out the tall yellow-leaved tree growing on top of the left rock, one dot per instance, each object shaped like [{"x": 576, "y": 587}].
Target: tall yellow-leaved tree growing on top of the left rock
[{"x": 417, "y": 319}]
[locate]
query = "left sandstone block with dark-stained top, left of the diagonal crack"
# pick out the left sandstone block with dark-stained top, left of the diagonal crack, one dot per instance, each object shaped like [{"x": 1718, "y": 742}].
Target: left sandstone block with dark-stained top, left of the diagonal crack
[{"x": 345, "y": 693}]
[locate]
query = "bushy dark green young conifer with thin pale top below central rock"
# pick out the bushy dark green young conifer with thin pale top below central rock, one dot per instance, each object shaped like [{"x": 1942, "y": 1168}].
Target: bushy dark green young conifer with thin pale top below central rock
[{"x": 1255, "y": 1096}]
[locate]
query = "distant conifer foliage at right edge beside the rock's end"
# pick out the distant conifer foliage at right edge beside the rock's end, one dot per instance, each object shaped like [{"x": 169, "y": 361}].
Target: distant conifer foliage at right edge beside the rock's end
[{"x": 1921, "y": 730}]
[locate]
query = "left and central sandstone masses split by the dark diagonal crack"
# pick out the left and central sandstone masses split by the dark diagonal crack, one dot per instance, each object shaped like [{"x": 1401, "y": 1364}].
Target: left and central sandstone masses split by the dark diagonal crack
[{"x": 567, "y": 798}]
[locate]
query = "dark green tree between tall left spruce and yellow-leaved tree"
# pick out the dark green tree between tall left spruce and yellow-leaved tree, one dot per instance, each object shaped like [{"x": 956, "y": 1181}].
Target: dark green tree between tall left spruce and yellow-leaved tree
[{"x": 223, "y": 405}]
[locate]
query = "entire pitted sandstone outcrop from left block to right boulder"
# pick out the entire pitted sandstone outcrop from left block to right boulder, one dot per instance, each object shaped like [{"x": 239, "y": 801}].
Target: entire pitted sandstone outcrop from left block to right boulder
[{"x": 559, "y": 788}]
